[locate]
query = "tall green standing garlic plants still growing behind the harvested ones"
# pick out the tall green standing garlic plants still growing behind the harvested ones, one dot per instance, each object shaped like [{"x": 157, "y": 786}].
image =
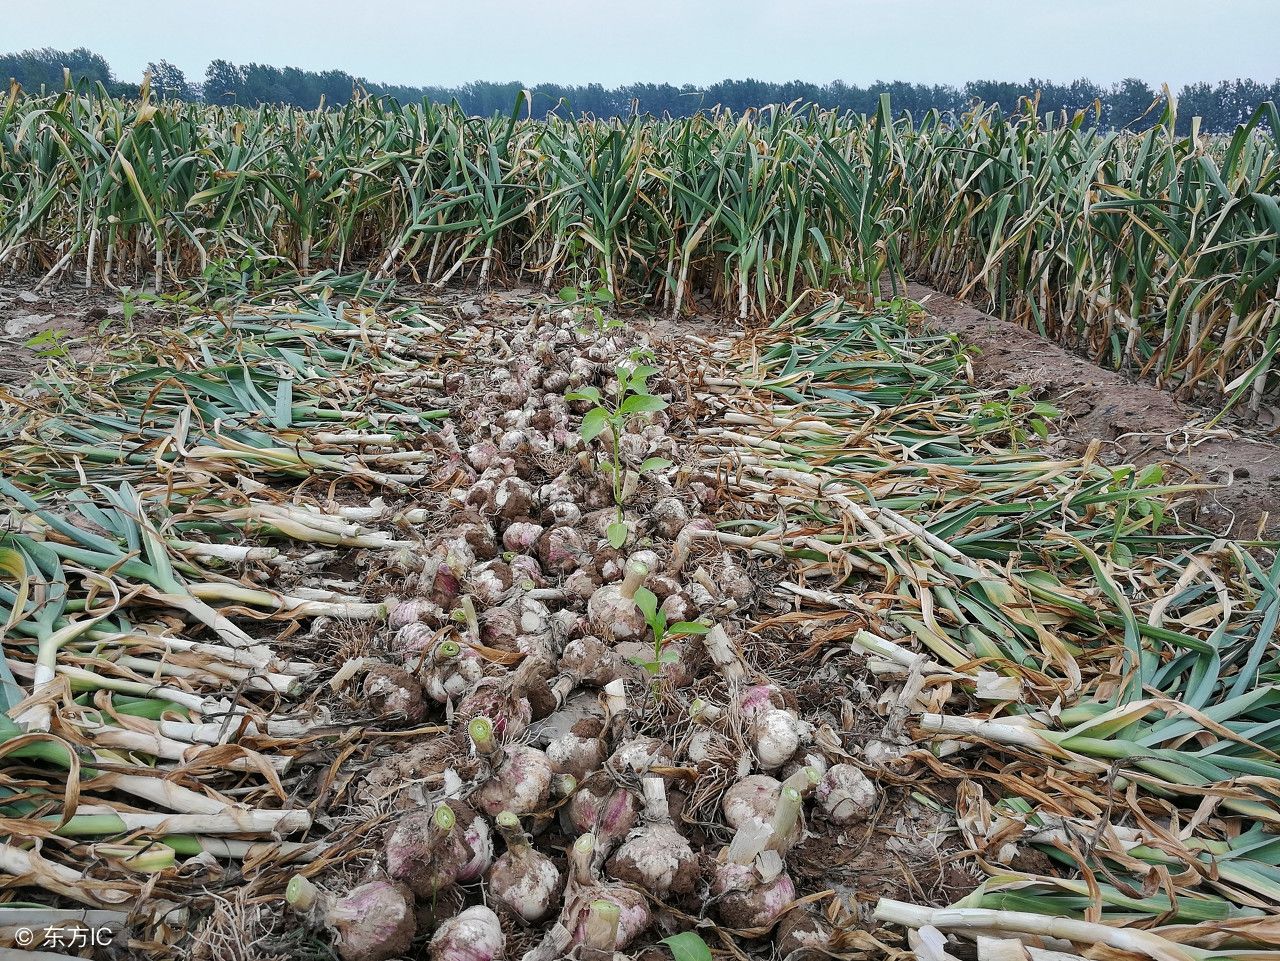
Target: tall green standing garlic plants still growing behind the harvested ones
[{"x": 1154, "y": 253}]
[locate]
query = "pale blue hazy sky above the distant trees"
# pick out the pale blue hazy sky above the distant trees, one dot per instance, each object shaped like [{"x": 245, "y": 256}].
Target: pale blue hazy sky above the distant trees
[{"x": 612, "y": 43}]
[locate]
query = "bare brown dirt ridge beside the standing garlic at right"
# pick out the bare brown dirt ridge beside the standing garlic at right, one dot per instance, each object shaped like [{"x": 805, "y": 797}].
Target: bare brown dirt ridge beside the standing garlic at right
[{"x": 1136, "y": 423}]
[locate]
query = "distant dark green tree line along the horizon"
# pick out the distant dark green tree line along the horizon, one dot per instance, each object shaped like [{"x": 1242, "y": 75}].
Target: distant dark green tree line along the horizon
[{"x": 1128, "y": 103}]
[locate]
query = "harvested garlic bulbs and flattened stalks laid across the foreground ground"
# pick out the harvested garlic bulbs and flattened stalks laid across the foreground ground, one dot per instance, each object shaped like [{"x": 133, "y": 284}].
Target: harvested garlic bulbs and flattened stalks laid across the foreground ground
[{"x": 509, "y": 628}]
